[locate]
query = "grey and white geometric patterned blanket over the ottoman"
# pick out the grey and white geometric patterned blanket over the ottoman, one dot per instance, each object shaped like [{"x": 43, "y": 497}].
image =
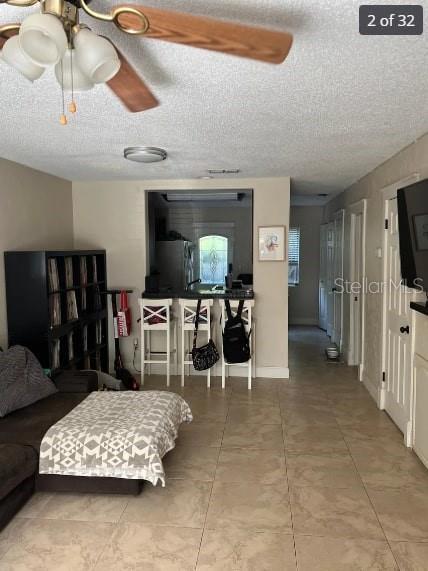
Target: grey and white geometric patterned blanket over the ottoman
[{"x": 116, "y": 435}]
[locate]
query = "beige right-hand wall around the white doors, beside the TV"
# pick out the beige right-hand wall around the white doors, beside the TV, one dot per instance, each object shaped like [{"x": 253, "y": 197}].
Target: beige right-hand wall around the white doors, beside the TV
[{"x": 412, "y": 159}]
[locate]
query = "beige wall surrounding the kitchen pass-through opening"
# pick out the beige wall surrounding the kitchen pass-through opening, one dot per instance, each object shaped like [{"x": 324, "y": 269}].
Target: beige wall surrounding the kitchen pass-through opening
[{"x": 111, "y": 215}]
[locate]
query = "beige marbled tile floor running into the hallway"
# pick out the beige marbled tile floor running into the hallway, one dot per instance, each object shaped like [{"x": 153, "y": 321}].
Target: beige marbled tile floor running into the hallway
[{"x": 301, "y": 474}]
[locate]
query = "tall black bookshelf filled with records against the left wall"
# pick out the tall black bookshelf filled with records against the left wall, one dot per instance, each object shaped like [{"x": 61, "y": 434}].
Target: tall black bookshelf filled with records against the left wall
[{"x": 56, "y": 307}]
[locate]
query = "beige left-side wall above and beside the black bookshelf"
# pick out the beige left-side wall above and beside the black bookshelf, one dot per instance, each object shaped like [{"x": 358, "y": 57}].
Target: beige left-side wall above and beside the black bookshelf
[{"x": 36, "y": 212}]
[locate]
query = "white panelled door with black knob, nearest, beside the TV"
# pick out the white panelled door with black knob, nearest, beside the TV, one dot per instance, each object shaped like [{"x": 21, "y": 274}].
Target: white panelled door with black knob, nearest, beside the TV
[{"x": 398, "y": 335}]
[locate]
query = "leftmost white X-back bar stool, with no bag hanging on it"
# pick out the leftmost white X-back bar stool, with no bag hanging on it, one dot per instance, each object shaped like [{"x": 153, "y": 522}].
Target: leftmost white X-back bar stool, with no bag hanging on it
[{"x": 156, "y": 315}]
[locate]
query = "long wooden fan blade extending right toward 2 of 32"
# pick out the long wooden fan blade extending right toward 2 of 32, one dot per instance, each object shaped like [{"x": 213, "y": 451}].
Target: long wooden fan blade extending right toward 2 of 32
[{"x": 201, "y": 32}]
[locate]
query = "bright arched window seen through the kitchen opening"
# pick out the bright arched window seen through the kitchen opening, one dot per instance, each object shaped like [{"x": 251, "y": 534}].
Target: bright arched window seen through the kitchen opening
[{"x": 213, "y": 259}]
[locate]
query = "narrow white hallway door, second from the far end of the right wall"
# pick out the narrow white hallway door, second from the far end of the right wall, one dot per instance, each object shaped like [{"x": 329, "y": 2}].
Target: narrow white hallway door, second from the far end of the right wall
[{"x": 336, "y": 336}]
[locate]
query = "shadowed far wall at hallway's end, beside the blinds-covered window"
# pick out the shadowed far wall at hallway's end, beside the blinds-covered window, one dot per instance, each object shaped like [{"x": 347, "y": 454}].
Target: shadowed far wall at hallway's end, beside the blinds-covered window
[{"x": 303, "y": 299}]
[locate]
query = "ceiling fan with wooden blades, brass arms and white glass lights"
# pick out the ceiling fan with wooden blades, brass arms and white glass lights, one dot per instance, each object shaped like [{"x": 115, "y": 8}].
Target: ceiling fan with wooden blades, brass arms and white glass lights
[{"x": 81, "y": 58}]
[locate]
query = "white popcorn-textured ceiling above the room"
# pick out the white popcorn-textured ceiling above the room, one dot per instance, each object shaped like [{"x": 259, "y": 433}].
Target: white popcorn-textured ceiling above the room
[{"x": 340, "y": 105}]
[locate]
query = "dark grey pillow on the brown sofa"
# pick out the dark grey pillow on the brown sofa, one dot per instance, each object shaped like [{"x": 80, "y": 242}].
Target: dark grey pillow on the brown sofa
[{"x": 22, "y": 381}]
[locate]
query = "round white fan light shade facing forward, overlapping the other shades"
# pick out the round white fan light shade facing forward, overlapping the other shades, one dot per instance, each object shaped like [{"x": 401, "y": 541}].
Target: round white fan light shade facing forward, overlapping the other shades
[{"x": 43, "y": 39}]
